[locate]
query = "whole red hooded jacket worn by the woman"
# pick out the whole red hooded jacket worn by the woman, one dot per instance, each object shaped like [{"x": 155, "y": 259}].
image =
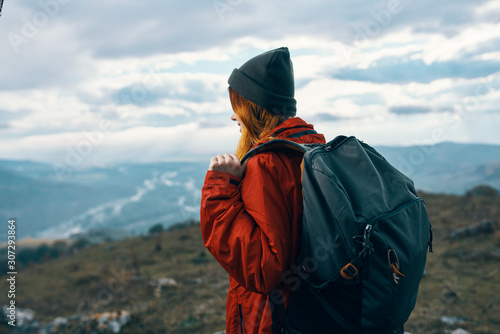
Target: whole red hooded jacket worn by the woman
[{"x": 251, "y": 226}]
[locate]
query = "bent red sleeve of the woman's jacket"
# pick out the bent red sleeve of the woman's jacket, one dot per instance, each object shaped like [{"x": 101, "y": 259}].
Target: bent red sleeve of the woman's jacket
[{"x": 247, "y": 229}]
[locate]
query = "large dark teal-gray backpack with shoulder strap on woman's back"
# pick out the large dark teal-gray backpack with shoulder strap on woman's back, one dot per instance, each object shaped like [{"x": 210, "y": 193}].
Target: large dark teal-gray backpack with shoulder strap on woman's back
[{"x": 364, "y": 241}]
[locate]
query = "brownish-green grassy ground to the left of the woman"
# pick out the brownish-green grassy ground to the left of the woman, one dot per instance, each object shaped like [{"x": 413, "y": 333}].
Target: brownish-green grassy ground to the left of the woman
[{"x": 116, "y": 276}]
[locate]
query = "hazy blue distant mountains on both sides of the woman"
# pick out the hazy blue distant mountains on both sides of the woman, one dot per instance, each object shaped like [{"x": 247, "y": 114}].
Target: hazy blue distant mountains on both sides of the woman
[{"x": 133, "y": 197}]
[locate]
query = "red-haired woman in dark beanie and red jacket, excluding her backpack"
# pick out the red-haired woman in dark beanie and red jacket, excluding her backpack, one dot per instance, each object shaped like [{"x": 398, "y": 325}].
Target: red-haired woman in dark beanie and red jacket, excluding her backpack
[{"x": 251, "y": 213}]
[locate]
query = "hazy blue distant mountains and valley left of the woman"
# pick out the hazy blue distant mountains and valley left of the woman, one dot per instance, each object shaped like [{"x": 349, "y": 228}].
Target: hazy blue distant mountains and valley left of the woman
[{"x": 129, "y": 197}]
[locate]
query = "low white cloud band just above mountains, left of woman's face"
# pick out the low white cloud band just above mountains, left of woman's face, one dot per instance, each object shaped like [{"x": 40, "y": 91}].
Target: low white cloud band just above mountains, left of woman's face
[{"x": 183, "y": 142}]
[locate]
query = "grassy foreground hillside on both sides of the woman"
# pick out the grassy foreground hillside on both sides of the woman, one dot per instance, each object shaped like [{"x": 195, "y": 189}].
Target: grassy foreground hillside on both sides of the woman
[{"x": 460, "y": 287}]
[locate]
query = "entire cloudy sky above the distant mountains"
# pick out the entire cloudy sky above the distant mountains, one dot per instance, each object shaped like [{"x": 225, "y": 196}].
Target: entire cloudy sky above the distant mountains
[{"x": 102, "y": 82}]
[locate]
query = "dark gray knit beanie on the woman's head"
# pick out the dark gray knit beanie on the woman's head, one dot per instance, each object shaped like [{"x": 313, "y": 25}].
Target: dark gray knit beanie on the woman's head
[{"x": 267, "y": 80}]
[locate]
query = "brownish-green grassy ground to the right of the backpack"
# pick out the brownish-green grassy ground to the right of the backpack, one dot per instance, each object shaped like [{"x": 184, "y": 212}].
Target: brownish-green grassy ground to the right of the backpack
[{"x": 461, "y": 278}]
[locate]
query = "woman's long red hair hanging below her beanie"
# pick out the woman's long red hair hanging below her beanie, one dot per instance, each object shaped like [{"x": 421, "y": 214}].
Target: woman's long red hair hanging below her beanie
[{"x": 257, "y": 122}]
